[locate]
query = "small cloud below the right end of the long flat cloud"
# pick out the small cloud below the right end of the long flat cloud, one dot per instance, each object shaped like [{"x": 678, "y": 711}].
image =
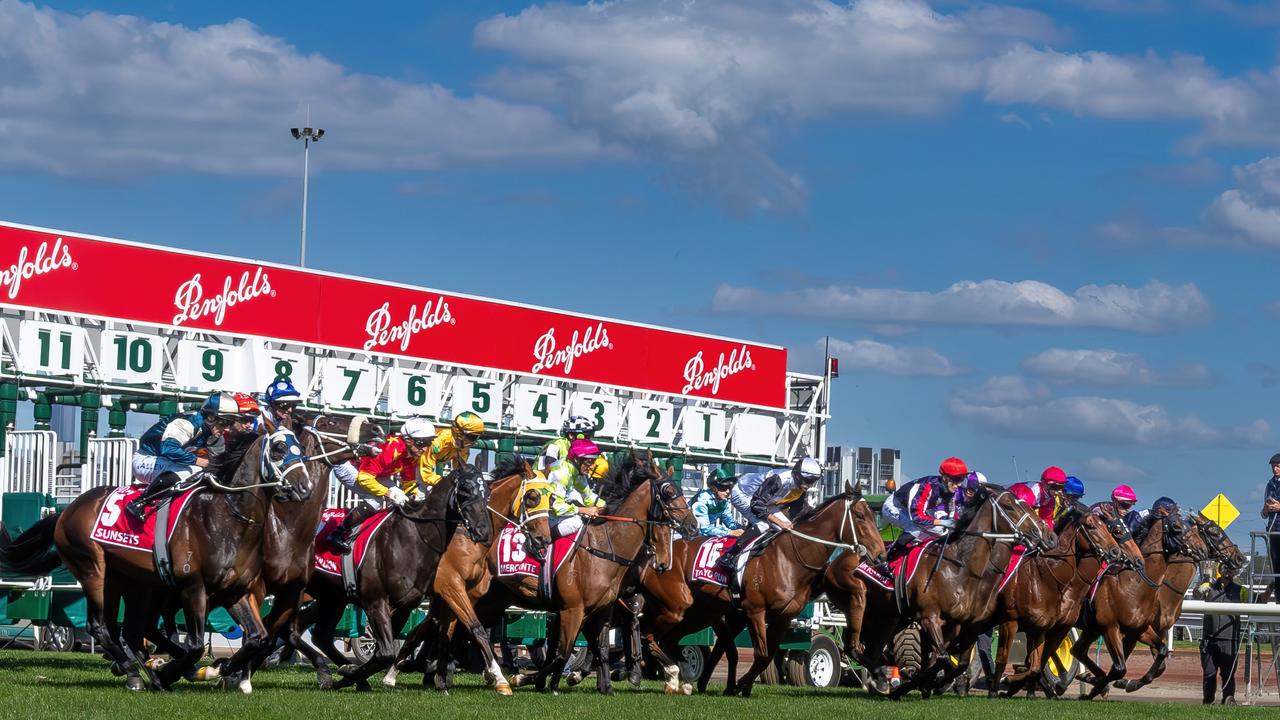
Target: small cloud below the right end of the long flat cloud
[{"x": 1108, "y": 368}]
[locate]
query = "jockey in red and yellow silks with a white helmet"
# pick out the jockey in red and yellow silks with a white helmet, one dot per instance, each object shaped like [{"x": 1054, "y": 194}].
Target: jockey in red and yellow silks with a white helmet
[{"x": 390, "y": 476}]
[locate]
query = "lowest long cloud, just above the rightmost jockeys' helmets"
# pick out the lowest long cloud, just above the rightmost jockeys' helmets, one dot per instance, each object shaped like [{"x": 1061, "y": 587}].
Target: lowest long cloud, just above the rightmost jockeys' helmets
[{"x": 1100, "y": 421}]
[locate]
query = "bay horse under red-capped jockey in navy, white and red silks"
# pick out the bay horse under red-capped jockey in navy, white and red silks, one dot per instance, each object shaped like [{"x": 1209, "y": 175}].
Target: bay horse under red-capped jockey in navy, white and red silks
[{"x": 953, "y": 594}]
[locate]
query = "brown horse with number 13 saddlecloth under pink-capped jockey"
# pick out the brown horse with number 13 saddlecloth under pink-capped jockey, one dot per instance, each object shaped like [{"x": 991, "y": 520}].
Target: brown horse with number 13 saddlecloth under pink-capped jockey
[{"x": 587, "y": 585}]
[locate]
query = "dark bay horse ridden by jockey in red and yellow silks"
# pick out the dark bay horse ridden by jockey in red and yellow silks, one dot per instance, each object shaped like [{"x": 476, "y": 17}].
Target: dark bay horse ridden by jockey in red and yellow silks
[{"x": 399, "y": 568}]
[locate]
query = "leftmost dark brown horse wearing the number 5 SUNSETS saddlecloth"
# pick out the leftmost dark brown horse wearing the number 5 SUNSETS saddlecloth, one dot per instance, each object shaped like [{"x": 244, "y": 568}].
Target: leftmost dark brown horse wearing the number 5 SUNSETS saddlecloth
[{"x": 216, "y": 545}]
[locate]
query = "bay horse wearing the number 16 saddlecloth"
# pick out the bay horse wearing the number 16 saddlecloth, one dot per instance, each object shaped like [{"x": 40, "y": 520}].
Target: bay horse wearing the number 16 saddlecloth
[{"x": 778, "y": 586}]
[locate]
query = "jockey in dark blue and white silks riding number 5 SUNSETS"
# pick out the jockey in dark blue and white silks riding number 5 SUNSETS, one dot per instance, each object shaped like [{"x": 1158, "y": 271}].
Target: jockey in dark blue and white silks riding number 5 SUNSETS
[{"x": 179, "y": 446}]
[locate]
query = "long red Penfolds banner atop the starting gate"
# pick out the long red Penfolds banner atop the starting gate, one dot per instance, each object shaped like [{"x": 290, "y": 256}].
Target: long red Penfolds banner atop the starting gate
[{"x": 89, "y": 276}]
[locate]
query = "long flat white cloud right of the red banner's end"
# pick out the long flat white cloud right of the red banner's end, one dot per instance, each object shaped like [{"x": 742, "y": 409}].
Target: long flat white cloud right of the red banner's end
[{"x": 1155, "y": 308}]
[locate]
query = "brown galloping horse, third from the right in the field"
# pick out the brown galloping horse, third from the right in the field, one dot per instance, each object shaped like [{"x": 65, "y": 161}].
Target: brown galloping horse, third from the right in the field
[{"x": 1049, "y": 591}]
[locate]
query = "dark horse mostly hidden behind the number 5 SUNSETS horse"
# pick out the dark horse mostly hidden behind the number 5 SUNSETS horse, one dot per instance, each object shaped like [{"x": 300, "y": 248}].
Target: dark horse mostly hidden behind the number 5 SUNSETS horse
[{"x": 289, "y": 541}]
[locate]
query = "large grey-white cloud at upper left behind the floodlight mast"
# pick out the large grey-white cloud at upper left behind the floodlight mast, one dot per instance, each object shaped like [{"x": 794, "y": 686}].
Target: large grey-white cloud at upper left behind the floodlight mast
[{"x": 109, "y": 97}]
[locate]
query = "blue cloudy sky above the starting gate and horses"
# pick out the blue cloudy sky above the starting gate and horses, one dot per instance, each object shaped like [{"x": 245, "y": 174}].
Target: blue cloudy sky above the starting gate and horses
[{"x": 1034, "y": 233}]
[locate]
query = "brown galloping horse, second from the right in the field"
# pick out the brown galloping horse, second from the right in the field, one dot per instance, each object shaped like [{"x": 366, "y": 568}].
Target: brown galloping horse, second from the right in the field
[{"x": 1126, "y": 605}]
